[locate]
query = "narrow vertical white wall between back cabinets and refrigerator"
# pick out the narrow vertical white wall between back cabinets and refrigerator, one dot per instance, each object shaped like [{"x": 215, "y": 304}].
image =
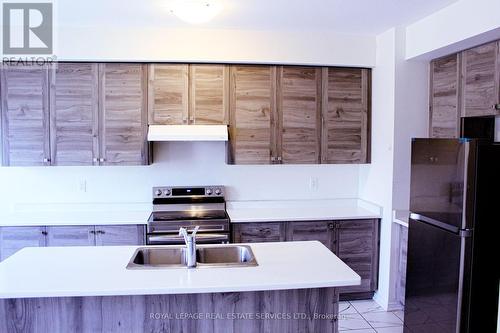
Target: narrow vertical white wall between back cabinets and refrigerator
[{"x": 376, "y": 179}]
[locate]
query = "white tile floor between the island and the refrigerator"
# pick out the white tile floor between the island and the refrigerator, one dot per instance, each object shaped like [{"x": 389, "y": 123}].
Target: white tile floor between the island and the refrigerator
[{"x": 368, "y": 317}]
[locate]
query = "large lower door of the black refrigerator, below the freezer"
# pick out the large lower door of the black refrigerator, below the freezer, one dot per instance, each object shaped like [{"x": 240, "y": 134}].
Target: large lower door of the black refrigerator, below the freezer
[{"x": 434, "y": 296}]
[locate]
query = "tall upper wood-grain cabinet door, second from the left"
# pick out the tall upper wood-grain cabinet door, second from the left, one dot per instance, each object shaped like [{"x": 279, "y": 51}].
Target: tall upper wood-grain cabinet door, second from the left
[{"x": 74, "y": 114}]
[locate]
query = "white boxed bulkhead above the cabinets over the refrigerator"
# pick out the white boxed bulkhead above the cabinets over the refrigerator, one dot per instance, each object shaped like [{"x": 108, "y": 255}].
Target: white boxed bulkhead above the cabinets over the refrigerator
[{"x": 459, "y": 26}]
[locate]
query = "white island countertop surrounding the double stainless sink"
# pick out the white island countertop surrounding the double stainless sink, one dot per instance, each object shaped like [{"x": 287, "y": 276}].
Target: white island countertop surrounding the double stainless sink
[{"x": 101, "y": 271}]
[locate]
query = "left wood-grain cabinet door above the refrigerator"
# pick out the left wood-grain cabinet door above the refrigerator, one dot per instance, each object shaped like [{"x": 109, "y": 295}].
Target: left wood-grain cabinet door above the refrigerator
[{"x": 444, "y": 97}]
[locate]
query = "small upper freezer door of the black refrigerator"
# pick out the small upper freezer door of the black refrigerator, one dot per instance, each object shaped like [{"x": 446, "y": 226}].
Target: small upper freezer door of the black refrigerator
[{"x": 442, "y": 180}]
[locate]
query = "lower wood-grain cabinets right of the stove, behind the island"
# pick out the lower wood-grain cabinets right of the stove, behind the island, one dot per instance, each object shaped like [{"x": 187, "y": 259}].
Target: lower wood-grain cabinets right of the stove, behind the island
[{"x": 355, "y": 242}]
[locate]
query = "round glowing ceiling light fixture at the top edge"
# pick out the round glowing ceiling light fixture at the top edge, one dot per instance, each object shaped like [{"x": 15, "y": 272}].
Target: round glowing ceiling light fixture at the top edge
[{"x": 195, "y": 11}]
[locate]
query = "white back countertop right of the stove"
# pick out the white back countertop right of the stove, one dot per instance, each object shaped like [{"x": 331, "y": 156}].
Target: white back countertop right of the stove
[{"x": 301, "y": 210}]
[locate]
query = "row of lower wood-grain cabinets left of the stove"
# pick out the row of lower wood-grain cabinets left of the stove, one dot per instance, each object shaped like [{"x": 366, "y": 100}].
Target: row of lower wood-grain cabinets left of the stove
[{"x": 13, "y": 239}]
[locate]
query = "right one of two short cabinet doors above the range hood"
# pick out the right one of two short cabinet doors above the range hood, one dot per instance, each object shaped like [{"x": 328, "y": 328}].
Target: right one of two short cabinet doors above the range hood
[{"x": 208, "y": 94}]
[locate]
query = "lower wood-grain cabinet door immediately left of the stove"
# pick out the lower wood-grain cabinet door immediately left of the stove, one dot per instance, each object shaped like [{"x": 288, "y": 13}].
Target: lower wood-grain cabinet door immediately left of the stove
[{"x": 120, "y": 235}]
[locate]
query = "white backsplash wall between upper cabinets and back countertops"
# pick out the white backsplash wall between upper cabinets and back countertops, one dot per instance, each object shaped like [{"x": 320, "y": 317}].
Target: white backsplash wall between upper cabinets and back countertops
[{"x": 175, "y": 164}]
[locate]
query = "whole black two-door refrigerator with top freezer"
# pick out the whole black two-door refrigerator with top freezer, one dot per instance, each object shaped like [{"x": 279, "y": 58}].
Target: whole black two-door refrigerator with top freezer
[{"x": 452, "y": 277}]
